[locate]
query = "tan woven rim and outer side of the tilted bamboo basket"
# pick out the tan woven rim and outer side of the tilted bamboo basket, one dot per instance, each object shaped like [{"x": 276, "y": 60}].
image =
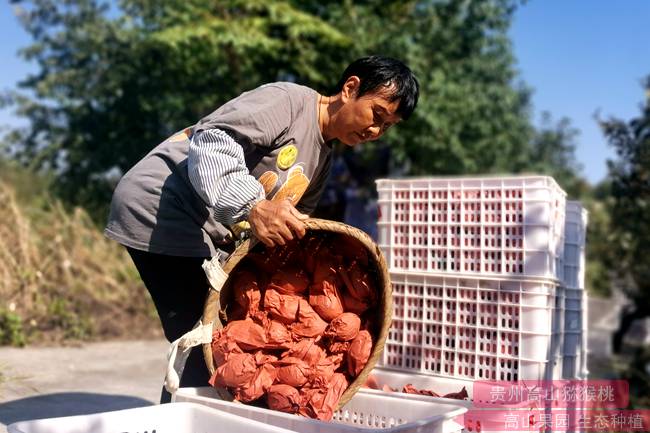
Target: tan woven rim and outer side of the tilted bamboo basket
[{"x": 216, "y": 302}]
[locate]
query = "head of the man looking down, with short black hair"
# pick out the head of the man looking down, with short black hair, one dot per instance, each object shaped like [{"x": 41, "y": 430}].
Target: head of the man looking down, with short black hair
[{"x": 376, "y": 92}]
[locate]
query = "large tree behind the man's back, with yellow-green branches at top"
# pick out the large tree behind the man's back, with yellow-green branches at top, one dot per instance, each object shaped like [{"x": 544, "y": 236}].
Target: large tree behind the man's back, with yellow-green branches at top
[{"x": 112, "y": 84}]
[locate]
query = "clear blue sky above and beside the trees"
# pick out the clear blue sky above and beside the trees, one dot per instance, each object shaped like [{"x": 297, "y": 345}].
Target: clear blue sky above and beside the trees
[{"x": 579, "y": 56}]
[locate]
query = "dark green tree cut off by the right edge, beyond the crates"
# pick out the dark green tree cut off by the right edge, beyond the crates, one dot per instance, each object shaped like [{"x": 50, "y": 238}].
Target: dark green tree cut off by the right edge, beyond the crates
[{"x": 630, "y": 189}]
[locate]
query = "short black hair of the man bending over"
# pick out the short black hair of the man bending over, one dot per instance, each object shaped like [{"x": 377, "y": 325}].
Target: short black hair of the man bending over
[{"x": 376, "y": 72}]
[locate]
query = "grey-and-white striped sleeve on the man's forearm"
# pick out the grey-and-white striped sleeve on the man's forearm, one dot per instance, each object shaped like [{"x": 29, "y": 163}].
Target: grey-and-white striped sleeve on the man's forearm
[{"x": 218, "y": 173}]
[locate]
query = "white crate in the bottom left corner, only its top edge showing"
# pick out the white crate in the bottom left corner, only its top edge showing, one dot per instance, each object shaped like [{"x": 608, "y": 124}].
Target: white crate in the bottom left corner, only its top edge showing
[{"x": 167, "y": 418}]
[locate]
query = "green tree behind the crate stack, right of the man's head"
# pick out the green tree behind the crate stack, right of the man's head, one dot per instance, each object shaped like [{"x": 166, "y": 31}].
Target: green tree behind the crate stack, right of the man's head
[{"x": 473, "y": 114}]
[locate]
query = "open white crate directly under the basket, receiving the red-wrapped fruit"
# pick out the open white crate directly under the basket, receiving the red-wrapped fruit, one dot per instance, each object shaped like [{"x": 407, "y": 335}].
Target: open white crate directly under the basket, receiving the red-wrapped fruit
[{"x": 365, "y": 412}]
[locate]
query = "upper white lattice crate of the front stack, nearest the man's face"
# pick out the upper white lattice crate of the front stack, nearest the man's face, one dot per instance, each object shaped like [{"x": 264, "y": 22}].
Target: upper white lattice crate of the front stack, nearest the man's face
[{"x": 488, "y": 225}]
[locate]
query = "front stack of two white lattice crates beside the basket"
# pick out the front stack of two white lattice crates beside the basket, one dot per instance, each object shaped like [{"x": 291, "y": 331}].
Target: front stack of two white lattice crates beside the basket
[{"x": 476, "y": 265}]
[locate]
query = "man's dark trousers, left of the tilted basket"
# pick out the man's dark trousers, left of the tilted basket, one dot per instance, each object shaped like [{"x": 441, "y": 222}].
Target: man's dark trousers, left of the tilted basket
[{"x": 178, "y": 287}]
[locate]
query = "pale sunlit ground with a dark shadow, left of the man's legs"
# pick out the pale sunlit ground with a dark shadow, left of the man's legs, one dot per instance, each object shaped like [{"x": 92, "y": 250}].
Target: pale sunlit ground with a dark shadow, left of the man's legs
[{"x": 97, "y": 377}]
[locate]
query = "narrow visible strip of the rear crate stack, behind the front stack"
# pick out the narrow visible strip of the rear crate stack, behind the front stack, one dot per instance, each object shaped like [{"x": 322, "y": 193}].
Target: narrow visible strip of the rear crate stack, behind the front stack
[{"x": 574, "y": 347}]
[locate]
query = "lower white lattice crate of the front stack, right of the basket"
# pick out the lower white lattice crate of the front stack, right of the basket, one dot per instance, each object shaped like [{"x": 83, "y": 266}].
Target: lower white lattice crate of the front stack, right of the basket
[{"x": 465, "y": 327}]
